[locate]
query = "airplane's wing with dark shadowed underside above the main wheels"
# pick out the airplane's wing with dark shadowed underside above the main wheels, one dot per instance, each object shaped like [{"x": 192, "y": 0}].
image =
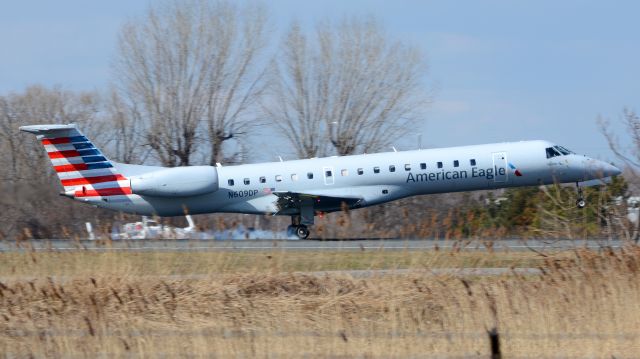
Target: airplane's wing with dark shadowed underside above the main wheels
[{"x": 291, "y": 202}]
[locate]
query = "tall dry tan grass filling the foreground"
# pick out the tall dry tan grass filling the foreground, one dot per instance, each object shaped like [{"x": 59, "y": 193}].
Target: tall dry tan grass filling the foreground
[{"x": 584, "y": 305}]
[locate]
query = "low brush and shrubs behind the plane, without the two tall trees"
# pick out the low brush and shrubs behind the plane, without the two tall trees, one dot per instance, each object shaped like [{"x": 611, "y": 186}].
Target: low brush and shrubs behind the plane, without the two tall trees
[{"x": 32, "y": 208}]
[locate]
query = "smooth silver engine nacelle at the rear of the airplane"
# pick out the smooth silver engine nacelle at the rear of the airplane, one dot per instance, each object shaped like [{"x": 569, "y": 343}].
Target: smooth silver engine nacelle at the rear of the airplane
[{"x": 176, "y": 182}]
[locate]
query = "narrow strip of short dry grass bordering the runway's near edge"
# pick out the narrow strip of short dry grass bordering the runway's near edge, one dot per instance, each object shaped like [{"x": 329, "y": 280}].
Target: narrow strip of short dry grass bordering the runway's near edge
[{"x": 88, "y": 263}]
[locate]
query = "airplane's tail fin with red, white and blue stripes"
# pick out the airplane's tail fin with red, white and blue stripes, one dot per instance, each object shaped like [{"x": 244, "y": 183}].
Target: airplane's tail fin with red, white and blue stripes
[{"x": 83, "y": 170}]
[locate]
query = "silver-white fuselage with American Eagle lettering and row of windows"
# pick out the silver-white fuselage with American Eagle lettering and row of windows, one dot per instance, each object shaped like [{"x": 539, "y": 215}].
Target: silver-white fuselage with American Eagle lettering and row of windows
[{"x": 371, "y": 178}]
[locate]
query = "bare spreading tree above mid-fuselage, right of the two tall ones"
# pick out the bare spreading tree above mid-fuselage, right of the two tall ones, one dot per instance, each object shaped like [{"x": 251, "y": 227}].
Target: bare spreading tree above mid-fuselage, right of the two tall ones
[{"x": 352, "y": 87}]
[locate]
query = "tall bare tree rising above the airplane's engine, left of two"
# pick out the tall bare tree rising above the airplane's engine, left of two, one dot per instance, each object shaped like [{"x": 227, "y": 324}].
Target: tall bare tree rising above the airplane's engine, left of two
[{"x": 190, "y": 66}]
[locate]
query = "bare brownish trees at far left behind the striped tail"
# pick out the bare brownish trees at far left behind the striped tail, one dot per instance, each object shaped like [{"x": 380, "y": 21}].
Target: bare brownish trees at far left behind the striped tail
[{"x": 28, "y": 184}]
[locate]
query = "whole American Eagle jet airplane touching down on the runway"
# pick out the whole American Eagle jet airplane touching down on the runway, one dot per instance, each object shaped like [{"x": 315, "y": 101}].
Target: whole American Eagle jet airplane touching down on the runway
[{"x": 305, "y": 188}]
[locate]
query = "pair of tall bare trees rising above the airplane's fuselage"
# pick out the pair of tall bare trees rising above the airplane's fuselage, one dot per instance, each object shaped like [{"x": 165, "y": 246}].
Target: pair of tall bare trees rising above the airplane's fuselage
[{"x": 194, "y": 79}]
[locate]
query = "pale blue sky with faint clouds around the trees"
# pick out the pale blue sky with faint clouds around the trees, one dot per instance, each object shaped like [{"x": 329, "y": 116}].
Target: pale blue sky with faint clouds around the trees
[{"x": 498, "y": 70}]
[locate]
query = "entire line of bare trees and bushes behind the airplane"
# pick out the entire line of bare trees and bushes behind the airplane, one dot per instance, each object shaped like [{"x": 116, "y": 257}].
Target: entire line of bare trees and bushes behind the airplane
[{"x": 192, "y": 81}]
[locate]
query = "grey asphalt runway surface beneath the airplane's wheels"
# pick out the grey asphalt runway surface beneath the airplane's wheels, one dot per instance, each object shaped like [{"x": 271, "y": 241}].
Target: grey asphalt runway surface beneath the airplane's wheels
[{"x": 305, "y": 245}]
